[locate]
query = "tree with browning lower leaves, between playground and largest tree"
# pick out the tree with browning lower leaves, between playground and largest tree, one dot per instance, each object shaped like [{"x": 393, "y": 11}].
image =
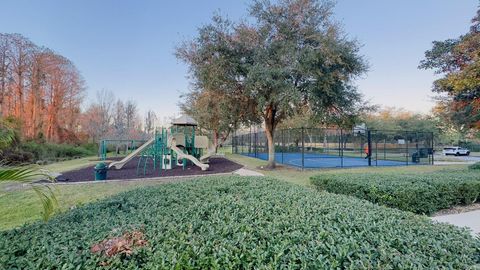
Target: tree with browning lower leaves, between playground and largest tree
[{"x": 217, "y": 97}]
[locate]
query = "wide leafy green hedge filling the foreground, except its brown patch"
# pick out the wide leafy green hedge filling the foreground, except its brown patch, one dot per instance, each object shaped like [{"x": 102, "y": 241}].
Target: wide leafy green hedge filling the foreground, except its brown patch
[{"x": 239, "y": 223}]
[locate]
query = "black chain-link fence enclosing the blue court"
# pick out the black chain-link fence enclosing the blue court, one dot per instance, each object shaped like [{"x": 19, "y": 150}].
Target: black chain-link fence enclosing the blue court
[{"x": 319, "y": 148}]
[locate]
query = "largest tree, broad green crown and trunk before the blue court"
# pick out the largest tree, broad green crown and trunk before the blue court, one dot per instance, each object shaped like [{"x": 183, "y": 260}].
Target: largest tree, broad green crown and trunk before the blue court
[{"x": 292, "y": 56}]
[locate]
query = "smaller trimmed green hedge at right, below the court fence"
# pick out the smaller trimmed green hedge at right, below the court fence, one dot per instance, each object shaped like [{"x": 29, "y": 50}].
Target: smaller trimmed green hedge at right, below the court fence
[{"x": 420, "y": 192}]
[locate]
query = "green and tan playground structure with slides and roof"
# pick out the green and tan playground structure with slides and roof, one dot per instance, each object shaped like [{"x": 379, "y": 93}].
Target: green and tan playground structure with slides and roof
[{"x": 170, "y": 147}]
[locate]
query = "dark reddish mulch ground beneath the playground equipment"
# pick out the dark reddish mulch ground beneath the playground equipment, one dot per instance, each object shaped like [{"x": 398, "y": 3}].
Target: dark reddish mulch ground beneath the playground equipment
[{"x": 129, "y": 171}]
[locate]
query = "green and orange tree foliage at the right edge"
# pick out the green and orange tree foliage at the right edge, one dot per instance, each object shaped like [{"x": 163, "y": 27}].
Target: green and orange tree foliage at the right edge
[{"x": 458, "y": 60}]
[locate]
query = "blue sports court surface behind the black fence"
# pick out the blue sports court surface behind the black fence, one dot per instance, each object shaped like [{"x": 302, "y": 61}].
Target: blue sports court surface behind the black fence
[{"x": 316, "y": 160}]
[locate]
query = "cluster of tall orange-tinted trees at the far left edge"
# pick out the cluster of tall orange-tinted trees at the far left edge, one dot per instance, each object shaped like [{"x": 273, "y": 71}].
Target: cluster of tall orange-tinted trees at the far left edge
[{"x": 40, "y": 88}]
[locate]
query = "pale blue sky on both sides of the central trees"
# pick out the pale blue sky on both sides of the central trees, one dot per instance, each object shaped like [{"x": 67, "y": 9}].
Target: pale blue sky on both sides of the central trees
[{"x": 127, "y": 46}]
